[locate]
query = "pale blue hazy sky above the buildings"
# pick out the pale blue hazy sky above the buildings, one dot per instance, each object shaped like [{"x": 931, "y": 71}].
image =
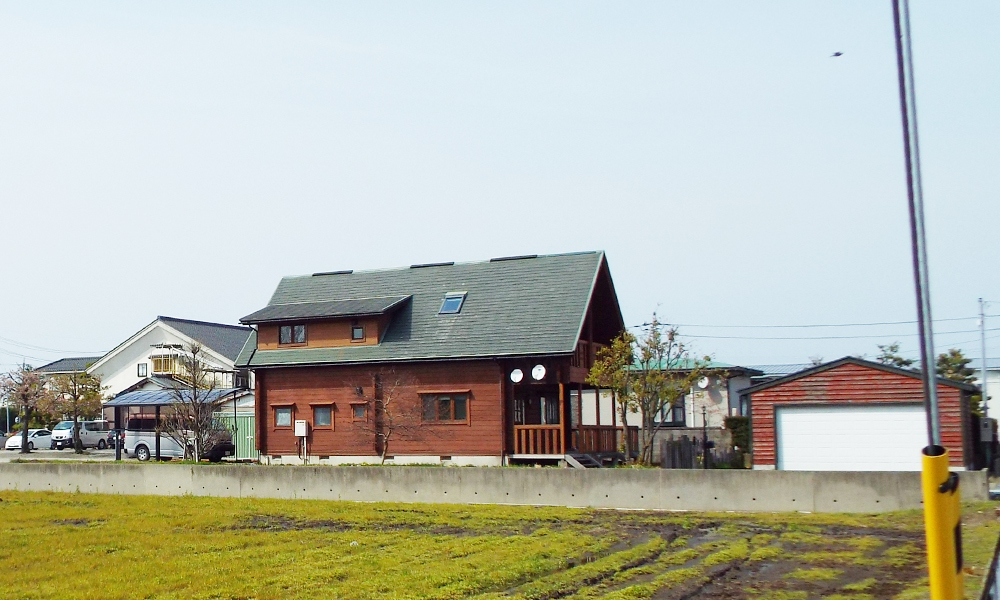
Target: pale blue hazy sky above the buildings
[{"x": 179, "y": 158}]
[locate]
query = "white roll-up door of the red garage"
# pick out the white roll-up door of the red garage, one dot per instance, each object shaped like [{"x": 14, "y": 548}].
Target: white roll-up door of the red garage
[{"x": 872, "y": 437}]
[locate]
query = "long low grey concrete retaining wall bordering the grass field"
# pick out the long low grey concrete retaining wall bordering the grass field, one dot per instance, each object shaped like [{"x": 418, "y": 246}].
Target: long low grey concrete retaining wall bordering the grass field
[{"x": 654, "y": 489}]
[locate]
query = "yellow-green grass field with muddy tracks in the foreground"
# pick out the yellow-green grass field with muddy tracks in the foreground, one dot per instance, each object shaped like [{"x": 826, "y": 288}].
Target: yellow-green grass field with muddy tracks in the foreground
[{"x": 90, "y": 546}]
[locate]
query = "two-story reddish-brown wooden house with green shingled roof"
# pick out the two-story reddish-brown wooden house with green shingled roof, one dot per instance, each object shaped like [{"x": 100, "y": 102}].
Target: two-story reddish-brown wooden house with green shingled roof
[{"x": 467, "y": 364}]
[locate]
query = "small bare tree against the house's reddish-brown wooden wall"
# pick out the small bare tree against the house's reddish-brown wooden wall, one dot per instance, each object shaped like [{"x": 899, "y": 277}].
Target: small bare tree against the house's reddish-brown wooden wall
[{"x": 392, "y": 410}]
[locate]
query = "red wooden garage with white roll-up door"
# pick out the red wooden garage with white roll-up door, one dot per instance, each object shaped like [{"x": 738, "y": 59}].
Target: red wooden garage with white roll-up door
[{"x": 854, "y": 415}]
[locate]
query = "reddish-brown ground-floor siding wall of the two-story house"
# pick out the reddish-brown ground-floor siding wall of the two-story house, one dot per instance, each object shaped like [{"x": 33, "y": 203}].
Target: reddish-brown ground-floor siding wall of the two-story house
[{"x": 305, "y": 387}]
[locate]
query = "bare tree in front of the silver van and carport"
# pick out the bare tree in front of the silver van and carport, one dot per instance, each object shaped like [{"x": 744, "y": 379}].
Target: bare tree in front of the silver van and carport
[{"x": 191, "y": 420}]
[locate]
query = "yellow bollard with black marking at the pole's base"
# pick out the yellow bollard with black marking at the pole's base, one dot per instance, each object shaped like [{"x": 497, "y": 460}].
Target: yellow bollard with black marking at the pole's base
[{"x": 943, "y": 524}]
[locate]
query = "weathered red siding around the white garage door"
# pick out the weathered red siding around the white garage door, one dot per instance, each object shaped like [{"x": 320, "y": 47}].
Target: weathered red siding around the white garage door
[{"x": 855, "y": 384}]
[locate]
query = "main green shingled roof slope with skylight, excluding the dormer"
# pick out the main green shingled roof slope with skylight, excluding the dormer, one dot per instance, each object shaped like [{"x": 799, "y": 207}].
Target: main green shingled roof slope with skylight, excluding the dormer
[{"x": 524, "y": 306}]
